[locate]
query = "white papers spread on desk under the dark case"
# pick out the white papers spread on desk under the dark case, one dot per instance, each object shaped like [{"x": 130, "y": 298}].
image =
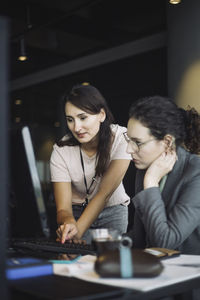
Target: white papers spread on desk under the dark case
[{"x": 172, "y": 273}]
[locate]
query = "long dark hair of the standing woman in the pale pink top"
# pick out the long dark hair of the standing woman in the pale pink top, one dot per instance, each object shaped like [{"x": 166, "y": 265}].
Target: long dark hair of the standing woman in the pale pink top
[{"x": 89, "y": 99}]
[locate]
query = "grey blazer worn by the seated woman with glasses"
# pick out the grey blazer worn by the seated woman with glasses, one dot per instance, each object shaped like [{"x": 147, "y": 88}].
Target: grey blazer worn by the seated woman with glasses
[{"x": 171, "y": 219}]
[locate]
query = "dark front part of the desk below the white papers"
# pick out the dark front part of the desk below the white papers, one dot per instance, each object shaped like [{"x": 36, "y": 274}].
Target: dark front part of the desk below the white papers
[{"x": 55, "y": 287}]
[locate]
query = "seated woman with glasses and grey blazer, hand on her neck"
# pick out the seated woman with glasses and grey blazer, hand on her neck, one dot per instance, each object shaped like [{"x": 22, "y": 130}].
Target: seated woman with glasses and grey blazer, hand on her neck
[{"x": 164, "y": 142}]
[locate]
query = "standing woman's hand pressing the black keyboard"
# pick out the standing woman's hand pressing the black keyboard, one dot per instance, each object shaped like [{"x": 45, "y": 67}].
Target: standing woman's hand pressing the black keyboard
[{"x": 67, "y": 232}]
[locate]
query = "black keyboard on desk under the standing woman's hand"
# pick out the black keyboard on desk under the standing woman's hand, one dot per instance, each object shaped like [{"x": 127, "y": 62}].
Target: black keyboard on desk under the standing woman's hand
[{"x": 53, "y": 247}]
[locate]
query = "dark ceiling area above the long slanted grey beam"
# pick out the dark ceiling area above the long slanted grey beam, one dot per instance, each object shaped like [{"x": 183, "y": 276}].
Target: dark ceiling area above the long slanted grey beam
[{"x": 58, "y": 31}]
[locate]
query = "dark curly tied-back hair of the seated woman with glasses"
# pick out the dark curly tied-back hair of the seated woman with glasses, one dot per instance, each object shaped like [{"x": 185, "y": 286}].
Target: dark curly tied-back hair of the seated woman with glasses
[{"x": 162, "y": 116}]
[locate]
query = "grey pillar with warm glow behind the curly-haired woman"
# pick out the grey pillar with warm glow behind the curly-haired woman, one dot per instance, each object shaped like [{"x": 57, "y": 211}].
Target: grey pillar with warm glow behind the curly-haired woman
[{"x": 184, "y": 53}]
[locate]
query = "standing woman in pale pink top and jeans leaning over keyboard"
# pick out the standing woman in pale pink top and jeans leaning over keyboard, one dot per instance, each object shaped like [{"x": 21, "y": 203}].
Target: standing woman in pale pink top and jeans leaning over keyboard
[{"x": 87, "y": 167}]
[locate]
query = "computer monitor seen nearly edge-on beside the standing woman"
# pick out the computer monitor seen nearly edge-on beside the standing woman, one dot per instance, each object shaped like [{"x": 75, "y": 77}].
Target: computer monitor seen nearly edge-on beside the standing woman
[{"x": 28, "y": 215}]
